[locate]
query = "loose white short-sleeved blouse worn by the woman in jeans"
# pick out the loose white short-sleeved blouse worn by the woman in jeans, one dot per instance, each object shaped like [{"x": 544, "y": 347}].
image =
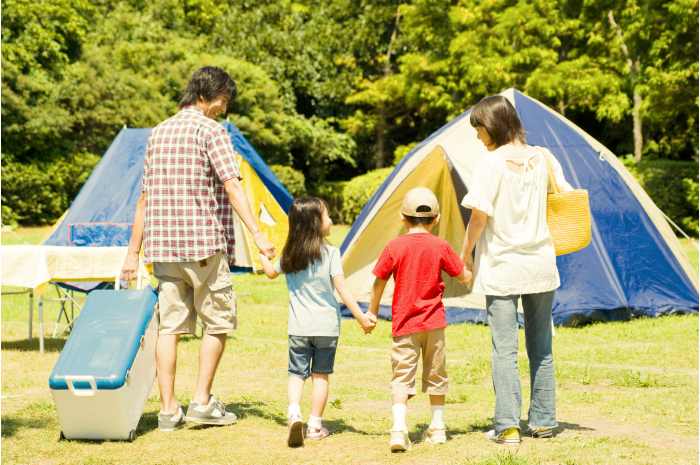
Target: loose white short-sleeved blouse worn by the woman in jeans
[{"x": 515, "y": 254}]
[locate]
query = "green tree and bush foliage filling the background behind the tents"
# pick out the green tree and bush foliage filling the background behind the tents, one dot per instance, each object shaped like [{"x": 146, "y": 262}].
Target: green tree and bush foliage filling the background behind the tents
[{"x": 334, "y": 88}]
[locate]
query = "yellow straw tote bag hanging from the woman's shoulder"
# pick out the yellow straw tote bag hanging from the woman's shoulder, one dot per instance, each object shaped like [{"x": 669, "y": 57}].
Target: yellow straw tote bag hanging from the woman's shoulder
[{"x": 568, "y": 216}]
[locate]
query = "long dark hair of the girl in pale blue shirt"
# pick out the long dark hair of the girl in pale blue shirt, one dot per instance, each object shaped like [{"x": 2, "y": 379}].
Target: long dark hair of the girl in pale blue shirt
[{"x": 305, "y": 238}]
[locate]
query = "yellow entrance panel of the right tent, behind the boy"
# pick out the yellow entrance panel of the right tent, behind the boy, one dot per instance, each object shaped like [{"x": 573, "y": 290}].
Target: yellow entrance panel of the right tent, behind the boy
[{"x": 433, "y": 172}]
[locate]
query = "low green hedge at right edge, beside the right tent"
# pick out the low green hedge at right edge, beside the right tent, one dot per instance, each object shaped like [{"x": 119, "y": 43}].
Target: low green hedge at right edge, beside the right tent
[{"x": 673, "y": 186}]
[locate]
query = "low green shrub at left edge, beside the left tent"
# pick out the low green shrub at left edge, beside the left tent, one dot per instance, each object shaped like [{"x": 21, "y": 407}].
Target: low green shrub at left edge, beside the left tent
[{"x": 38, "y": 193}]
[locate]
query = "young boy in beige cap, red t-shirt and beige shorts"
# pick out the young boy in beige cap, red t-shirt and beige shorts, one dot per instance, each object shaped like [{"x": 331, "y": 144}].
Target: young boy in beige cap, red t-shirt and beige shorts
[{"x": 415, "y": 260}]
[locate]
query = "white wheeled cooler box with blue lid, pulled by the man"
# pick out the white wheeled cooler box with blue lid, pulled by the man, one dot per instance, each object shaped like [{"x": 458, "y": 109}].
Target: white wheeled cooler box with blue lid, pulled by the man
[{"x": 105, "y": 372}]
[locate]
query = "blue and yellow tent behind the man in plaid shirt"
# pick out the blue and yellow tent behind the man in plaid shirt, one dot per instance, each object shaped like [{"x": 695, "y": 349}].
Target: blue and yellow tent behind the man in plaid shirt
[{"x": 102, "y": 212}]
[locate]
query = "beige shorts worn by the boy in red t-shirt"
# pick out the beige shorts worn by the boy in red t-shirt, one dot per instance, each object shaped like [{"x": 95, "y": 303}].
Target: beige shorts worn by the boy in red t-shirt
[{"x": 405, "y": 352}]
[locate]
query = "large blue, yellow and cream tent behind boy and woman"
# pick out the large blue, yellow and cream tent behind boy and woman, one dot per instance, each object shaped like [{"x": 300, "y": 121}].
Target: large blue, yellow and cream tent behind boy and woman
[{"x": 634, "y": 265}]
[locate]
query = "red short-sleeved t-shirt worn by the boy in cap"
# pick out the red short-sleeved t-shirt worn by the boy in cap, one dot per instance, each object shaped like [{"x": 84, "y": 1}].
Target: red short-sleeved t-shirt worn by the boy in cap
[{"x": 415, "y": 261}]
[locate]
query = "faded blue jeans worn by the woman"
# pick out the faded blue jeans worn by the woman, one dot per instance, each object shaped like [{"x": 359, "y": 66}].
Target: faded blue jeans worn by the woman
[{"x": 503, "y": 321}]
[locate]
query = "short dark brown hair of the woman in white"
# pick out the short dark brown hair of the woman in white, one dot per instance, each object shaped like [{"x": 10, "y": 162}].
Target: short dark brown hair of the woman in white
[{"x": 498, "y": 117}]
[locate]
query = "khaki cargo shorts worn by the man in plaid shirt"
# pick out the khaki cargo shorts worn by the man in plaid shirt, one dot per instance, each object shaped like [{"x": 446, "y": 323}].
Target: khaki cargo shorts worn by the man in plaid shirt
[{"x": 190, "y": 289}]
